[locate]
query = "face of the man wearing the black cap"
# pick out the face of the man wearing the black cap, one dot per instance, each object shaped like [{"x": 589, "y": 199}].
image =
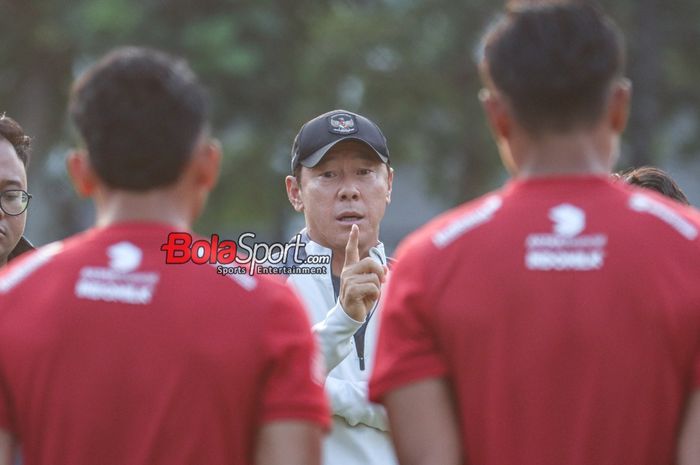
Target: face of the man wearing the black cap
[{"x": 349, "y": 186}]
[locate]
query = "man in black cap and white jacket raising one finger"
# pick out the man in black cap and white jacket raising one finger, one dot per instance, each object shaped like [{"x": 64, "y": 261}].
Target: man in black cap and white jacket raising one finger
[{"x": 341, "y": 182}]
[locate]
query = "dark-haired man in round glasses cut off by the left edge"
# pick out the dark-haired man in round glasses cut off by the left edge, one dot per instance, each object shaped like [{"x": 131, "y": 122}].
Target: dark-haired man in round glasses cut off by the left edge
[{"x": 15, "y": 147}]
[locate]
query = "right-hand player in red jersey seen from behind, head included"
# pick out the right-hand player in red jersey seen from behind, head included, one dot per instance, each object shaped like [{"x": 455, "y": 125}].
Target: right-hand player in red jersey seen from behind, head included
[{"x": 555, "y": 321}]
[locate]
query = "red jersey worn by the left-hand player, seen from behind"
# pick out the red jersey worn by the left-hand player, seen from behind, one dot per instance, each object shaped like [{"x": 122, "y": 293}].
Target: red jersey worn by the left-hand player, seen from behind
[{"x": 109, "y": 356}]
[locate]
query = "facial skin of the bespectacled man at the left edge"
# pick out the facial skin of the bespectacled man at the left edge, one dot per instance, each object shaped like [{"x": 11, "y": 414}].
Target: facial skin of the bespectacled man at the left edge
[{"x": 12, "y": 176}]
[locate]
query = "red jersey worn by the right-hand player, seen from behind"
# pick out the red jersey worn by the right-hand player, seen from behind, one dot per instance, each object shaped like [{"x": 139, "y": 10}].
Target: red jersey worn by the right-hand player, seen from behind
[{"x": 564, "y": 311}]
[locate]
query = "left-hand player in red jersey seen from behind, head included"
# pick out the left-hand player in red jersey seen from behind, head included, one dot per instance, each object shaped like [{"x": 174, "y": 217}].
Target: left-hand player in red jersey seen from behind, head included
[{"x": 110, "y": 356}]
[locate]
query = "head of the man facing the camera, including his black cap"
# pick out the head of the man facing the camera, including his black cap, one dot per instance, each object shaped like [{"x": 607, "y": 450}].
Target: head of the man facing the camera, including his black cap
[{"x": 342, "y": 177}]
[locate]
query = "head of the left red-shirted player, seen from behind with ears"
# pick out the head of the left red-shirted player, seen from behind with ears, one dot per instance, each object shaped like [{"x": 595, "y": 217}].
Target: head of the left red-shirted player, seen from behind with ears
[{"x": 142, "y": 115}]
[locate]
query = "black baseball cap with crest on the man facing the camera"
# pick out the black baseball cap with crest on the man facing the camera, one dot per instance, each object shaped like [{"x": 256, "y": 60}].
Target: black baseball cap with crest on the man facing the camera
[{"x": 318, "y": 136}]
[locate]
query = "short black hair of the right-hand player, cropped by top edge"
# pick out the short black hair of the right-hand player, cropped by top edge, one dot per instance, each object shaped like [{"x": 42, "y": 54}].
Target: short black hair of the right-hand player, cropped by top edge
[{"x": 554, "y": 61}]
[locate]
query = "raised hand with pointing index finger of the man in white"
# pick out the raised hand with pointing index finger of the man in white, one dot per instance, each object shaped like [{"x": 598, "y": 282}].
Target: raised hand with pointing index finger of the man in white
[{"x": 360, "y": 280}]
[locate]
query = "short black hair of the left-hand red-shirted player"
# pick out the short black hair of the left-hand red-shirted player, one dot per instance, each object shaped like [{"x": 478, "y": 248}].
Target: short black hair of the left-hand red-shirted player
[{"x": 140, "y": 113}]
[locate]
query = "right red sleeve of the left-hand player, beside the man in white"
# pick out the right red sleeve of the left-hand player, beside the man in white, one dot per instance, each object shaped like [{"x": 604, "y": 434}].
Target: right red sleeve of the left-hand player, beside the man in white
[{"x": 293, "y": 380}]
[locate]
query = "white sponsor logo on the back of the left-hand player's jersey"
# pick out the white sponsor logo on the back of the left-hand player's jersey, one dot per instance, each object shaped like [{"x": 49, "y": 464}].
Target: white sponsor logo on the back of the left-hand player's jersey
[{"x": 120, "y": 282}]
